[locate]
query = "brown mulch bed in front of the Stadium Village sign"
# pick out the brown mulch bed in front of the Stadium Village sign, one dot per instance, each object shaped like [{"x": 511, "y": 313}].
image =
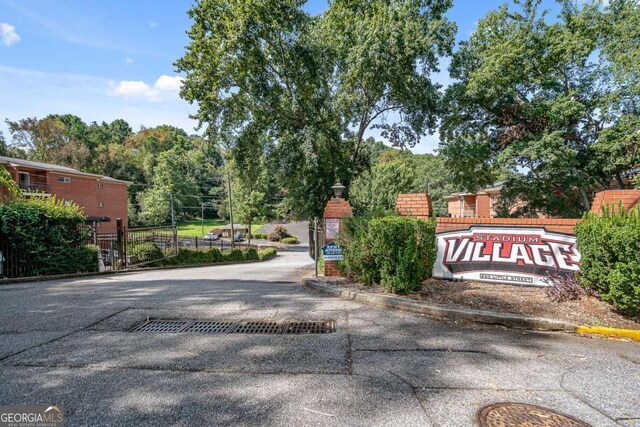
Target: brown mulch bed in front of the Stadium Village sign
[{"x": 514, "y": 299}]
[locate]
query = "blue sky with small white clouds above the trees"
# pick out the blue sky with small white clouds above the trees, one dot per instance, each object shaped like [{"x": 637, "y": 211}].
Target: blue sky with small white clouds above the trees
[{"x": 109, "y": 59}]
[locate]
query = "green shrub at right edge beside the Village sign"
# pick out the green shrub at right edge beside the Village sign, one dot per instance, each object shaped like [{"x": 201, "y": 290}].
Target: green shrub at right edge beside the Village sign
[{"x": 610, "y": 257}]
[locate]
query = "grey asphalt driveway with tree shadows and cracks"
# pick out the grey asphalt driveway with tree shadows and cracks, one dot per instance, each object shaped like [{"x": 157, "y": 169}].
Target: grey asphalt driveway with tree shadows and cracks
[{"x": 66, "y": 342}]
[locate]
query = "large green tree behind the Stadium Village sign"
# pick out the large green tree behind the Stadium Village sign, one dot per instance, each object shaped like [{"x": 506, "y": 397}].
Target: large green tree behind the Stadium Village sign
[{"x": 538, "y": 96}]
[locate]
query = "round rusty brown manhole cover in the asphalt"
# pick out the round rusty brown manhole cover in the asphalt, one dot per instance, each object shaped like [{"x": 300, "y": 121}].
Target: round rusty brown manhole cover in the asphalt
[{"x": 522, "y": 415}]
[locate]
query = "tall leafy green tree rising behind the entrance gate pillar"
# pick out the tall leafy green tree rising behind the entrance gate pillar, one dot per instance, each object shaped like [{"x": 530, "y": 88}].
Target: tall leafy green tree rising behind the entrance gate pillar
[{"x": 315, "y": 84}]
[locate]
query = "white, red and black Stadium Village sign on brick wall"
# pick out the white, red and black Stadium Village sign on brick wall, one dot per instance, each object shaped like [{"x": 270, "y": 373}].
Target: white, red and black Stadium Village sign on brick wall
[{"x": 518, "y": 255}]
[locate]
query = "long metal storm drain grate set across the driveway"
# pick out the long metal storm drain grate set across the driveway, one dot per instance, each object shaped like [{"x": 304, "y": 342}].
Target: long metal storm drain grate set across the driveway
[{"x": 244, "y": 327}]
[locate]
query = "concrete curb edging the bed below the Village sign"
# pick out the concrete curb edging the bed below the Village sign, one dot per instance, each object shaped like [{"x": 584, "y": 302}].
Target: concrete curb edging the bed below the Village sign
[{"x": 440, "y": 312}]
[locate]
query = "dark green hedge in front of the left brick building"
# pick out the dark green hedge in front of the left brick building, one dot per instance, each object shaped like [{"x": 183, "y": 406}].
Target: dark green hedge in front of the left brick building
[{"x": 51, "y": 233}]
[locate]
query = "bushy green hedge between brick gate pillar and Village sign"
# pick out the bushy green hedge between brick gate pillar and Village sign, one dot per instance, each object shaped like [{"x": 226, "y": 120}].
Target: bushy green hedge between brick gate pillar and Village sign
[{"x": 398, "y": 252}]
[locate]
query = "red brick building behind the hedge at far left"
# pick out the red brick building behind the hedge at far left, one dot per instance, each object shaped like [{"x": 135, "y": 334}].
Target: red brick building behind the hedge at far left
[{"x": 99, "y": 196}]
